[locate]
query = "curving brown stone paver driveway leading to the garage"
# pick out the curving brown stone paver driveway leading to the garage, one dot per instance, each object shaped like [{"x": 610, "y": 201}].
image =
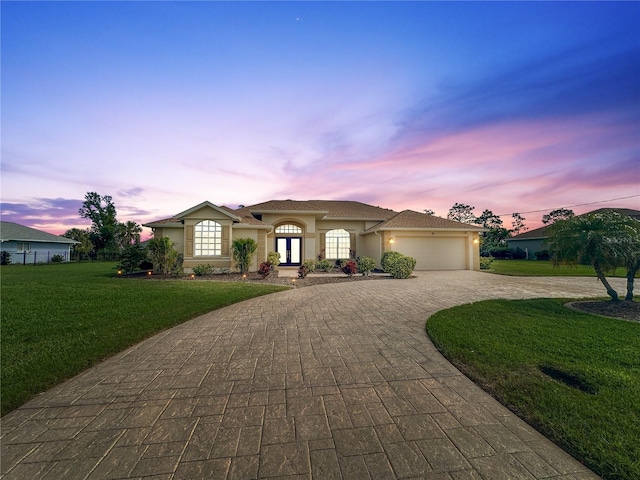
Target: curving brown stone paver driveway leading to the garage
[{"x": 327, "y": 382}]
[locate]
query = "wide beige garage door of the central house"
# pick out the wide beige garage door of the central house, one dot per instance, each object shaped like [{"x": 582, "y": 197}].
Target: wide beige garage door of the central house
[{"x": 441, "y": 253}]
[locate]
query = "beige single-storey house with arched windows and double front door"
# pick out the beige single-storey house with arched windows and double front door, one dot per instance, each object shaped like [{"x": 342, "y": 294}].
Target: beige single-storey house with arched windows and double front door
[{"x": 308, "y": 230}]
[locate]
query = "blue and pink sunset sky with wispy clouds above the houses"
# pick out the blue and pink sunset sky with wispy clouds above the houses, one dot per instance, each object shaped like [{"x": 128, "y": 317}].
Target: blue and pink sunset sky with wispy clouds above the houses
[{"x": 510, "y": 106}]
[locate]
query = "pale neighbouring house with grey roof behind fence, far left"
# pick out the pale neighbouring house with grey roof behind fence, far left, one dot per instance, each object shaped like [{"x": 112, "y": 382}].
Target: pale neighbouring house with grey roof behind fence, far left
[{"x": 28, "y": 245}]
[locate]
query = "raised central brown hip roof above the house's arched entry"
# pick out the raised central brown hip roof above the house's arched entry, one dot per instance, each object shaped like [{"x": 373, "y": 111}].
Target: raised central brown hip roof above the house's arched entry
[{"x": 326, "y": 209}]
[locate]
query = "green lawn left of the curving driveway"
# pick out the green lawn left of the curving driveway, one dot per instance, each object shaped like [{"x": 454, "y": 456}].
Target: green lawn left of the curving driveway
[{"x": 58, "y": 320}]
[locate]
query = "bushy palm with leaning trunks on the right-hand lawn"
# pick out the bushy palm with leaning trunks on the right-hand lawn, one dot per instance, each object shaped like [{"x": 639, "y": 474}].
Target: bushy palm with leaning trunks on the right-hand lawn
[{"x": 603, "y": 240}]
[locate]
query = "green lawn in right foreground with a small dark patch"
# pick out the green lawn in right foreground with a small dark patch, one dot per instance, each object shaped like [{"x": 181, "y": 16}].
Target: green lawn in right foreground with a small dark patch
[{"x": 504, "y": 345}]
